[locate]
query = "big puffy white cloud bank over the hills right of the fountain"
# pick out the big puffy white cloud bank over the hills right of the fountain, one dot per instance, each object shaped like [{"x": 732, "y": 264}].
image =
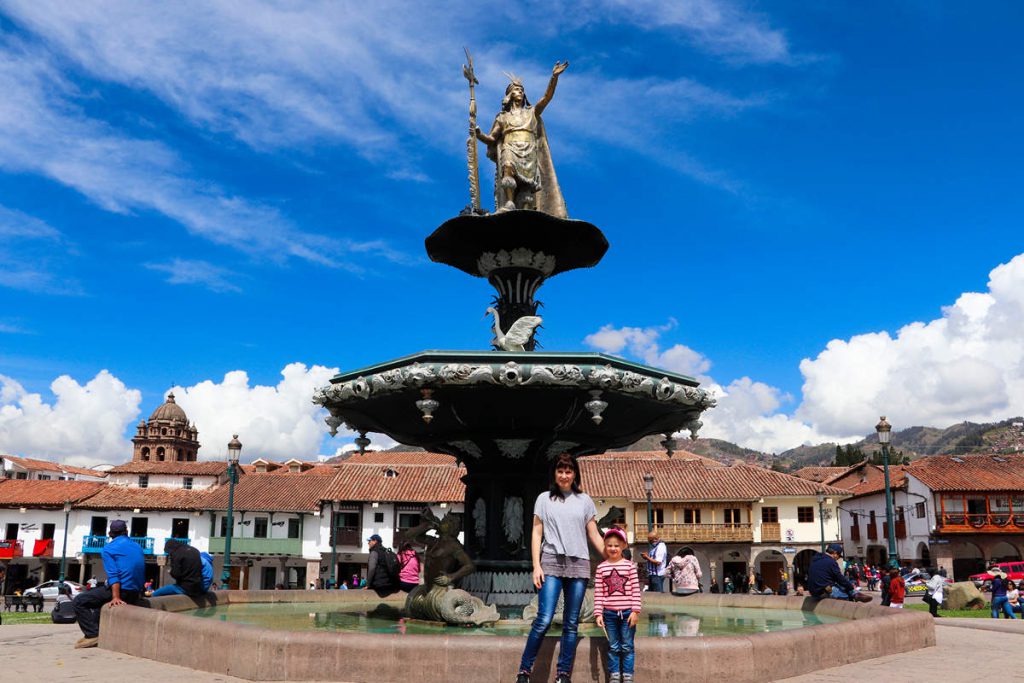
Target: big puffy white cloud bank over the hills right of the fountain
[{"x": 967, "y": 365}]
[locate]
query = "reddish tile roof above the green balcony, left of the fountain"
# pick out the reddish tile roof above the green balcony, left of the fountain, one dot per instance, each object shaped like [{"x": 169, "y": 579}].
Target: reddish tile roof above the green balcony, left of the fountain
[{"x": 274, "y": 492}]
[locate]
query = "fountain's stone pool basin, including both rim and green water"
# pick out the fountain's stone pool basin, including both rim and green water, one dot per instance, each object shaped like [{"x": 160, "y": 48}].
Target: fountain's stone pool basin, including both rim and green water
[{"x": 255, "y": 635}]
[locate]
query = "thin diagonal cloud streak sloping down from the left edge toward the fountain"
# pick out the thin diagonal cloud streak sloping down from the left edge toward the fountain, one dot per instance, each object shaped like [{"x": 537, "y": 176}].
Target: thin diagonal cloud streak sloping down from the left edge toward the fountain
[{"x": 45, "y": 131}]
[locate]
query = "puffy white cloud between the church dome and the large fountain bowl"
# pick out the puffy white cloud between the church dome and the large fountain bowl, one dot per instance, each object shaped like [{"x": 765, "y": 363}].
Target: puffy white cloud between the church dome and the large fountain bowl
[{"x": 275, "y": 422}]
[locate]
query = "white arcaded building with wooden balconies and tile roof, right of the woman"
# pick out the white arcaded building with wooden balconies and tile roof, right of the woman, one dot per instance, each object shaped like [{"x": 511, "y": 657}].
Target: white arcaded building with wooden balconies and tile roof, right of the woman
[{"x": 737, "y": 520}]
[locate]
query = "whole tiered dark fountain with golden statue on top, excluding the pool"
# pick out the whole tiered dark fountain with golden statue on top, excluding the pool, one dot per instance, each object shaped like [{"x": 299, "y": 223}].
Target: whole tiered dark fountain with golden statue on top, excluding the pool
[{"x": 506, "y": 413}]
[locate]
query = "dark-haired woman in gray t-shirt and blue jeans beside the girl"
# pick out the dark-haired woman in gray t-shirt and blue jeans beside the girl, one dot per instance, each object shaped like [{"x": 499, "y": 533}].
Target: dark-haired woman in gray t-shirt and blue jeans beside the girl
[{"x": 565, "y": 519}]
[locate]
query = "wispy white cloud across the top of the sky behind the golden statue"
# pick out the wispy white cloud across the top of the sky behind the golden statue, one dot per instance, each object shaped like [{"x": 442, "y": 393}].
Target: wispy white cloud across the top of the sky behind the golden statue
[{"x": 298, "y": 74}]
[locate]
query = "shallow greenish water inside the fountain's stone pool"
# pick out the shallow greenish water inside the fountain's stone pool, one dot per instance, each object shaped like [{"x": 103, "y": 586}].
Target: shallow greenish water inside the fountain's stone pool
[{"x": 658, "y": 622}]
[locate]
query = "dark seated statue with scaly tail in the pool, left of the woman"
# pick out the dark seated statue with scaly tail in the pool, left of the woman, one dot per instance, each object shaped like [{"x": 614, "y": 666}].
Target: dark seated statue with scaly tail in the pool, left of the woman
[{"x": 445, "y": 564}]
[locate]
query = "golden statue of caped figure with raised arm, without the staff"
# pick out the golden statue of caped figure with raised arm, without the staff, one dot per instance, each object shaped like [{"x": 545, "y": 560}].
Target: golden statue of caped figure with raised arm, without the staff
[{"x": 525, "y": 177}]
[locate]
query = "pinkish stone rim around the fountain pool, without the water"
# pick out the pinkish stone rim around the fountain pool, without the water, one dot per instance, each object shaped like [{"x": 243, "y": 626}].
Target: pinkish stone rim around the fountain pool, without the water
[{"x": 267, "y": 655}]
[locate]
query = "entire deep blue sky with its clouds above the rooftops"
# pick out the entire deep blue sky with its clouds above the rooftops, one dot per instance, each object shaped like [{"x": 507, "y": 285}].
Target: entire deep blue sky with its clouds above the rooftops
[{"x": 194, "y": 190}]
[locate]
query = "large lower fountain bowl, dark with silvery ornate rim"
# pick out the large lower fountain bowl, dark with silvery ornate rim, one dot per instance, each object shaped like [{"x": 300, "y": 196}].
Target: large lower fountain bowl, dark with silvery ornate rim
[{"x": 511, "y": 406}]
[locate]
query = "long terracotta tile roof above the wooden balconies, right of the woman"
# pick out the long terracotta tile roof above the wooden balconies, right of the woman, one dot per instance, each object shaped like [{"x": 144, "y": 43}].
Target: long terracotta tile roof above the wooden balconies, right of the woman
[{"x": 692, "y": 481}]
